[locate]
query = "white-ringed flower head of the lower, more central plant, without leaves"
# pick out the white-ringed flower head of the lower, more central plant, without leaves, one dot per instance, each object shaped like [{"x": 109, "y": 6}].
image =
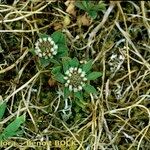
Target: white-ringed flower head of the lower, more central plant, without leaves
[{"x": 75, "y": 79}]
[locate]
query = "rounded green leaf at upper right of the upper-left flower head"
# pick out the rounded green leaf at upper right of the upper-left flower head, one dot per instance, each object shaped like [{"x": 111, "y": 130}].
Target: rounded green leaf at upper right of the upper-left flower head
[{"x": 58, "y": 37}]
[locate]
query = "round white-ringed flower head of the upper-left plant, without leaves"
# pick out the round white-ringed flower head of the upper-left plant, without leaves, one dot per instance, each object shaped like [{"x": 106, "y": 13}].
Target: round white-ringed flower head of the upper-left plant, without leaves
[{"x": 46, "y": 48}]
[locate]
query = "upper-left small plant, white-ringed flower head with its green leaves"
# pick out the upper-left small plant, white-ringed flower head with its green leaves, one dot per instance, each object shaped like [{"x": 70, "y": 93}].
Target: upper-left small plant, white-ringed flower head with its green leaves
[{"x": 50, "y": 49}]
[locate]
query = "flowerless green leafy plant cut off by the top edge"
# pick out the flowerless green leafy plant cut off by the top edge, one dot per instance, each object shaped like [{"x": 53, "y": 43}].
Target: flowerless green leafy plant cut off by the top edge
[{"x": 90, "y": 7}]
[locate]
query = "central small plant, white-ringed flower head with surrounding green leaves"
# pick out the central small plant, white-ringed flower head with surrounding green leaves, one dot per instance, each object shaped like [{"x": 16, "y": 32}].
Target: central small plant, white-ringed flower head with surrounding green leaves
[{"x": 75, "y": 77}]
